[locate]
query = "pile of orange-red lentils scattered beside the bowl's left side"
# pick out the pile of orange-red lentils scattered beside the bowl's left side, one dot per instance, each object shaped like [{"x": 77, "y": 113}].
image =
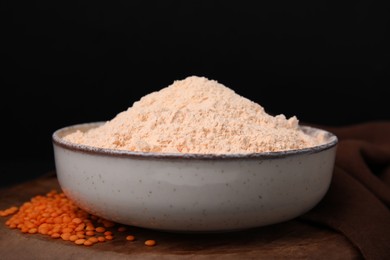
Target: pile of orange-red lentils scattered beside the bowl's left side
[{"x": 56, "y": 216}]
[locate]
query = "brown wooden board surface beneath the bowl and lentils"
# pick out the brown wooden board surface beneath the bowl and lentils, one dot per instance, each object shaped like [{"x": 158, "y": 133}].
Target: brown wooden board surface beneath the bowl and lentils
[{"x": 293, "y": 239}]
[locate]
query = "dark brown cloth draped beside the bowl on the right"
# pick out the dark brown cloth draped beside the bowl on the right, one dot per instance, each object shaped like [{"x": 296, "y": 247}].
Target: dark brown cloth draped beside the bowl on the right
[{"x": 357, "y": 203}]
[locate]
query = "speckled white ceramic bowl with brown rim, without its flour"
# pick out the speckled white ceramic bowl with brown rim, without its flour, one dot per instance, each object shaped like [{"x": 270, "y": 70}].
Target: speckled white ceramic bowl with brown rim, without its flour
[{"x": 193, "y": 192}]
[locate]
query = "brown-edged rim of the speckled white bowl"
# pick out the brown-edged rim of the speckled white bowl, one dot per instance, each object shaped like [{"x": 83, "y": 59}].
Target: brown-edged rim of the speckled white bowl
[{"x": 57, "y": 139}]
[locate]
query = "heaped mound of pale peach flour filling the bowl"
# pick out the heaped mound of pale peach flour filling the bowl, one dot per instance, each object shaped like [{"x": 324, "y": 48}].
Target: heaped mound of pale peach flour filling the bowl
[{"x": 197, "y": 115}]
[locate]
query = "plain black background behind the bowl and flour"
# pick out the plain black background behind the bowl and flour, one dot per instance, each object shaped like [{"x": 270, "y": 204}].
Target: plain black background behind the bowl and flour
[{"x": 67, "y": 63}]
